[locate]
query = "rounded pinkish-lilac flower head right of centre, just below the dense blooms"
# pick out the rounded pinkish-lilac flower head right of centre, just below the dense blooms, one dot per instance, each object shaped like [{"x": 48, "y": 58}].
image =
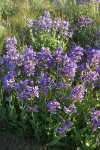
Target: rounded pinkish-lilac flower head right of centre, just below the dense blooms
[{"x": 77, "y": 93}]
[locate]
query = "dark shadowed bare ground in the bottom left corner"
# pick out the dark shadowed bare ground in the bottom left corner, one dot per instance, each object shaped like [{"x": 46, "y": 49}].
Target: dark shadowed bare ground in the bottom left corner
[{"x": 9, "y": 141}]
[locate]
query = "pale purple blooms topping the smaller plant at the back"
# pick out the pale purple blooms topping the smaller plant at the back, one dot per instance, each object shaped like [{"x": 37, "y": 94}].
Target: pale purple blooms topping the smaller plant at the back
[{"x": 45, "y": 23}]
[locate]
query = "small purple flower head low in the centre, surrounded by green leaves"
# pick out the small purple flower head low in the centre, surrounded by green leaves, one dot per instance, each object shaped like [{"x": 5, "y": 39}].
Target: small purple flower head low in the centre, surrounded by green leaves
[{"x": 53, "y": 105}]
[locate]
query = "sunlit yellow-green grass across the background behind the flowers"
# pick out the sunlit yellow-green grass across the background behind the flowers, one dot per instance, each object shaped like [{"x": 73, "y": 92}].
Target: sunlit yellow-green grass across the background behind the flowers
[{"x": 13, "y": 13}]
